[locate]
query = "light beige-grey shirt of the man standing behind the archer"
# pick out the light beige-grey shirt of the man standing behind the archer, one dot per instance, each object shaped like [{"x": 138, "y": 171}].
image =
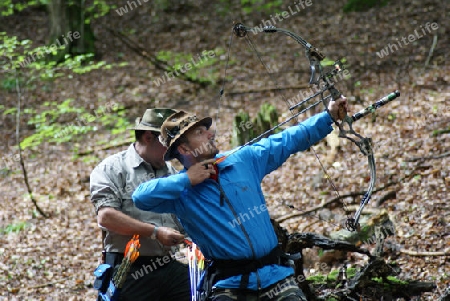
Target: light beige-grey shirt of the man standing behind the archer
[{"x": 112, "y": 184}]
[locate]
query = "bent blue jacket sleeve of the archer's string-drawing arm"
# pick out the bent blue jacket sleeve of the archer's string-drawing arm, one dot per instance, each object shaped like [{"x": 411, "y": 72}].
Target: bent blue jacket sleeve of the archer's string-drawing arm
[{"x": 161, "y": 195}]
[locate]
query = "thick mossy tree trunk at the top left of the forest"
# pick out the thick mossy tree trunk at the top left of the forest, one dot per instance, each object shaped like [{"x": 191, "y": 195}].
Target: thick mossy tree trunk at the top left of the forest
[{"x": 69, "y": 29}]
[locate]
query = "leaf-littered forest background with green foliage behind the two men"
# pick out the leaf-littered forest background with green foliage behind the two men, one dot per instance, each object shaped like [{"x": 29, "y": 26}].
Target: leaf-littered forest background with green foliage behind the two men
[{"x": 75, "y": 109}]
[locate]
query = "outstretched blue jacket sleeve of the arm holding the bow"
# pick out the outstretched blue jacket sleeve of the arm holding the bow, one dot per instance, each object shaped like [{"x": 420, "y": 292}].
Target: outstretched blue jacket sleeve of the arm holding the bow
[{"x": 277, "y": 148}]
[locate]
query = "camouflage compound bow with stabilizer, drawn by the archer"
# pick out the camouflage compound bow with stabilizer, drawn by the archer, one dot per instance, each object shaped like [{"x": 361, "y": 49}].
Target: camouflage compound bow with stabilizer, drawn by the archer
[{"x": 324, "y": 83}]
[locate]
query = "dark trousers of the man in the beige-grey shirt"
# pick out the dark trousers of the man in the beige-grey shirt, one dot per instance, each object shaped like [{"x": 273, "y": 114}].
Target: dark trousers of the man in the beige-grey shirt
[{"x": 157, "y": 279}]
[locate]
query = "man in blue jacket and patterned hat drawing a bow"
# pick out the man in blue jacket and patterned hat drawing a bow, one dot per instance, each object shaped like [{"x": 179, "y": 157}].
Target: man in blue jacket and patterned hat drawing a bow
[{"x": 221, "y": 205}]
